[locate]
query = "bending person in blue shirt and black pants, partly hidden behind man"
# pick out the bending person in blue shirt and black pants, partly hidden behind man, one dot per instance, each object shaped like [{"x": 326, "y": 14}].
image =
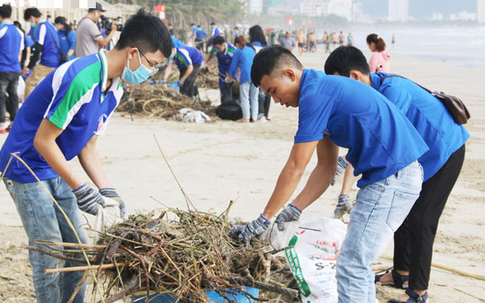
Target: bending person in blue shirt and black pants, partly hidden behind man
[{"x": 413, "y": 241}]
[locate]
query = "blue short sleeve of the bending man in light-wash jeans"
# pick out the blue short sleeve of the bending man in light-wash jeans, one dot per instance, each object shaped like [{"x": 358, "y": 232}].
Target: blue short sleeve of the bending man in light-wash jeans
[{"x": 313, "y": 118}]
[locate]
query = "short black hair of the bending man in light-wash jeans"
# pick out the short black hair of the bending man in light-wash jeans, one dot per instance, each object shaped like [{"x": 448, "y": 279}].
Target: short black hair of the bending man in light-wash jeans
[{"x": 271, "y": 59}]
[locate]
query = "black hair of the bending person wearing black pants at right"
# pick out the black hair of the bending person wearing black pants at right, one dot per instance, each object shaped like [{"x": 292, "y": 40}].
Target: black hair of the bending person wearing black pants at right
[{"x": 344, "y": 59}]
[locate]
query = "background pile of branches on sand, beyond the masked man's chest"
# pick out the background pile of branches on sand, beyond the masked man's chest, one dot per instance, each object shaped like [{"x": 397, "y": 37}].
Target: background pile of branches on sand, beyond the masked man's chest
[{"x": 159, "y": 101}]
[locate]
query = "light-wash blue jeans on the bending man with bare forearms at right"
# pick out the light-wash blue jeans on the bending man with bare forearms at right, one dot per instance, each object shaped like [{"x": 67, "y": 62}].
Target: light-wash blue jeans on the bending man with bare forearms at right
[{"x": 380, "y": 209}]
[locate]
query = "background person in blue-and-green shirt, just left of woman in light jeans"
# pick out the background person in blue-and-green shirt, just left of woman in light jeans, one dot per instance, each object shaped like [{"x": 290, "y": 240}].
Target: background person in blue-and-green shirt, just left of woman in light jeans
[{"x": 224, "y": 52}]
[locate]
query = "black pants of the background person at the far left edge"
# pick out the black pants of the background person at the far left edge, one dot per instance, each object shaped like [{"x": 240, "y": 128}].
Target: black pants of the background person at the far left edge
[{"x": 8, "y": 85}]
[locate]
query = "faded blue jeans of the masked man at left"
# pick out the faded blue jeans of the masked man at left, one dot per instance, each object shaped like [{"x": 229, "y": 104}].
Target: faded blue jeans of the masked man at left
[{"x": 42, "y": 220}]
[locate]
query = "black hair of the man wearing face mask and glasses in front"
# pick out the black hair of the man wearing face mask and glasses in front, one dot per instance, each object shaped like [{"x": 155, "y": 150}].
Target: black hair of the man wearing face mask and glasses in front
[{"x": 146, "y": 32}]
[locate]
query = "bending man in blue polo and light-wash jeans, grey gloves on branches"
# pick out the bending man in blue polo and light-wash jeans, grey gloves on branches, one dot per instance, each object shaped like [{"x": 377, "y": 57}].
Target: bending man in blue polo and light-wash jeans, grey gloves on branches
[{"x": 383, "y": 147}]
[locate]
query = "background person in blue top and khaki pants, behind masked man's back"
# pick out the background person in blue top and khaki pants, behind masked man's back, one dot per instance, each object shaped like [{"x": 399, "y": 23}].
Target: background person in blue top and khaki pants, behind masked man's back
[{"x": 45, "y": 37}]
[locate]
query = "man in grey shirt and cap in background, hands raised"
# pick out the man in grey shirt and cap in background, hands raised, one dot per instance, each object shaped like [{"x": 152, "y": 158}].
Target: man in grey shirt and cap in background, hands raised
[{"x": 89, "y": 39}]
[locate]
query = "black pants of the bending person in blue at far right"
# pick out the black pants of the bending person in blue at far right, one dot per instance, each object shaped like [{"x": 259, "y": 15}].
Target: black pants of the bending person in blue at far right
[{"x": 413, "y": 241}]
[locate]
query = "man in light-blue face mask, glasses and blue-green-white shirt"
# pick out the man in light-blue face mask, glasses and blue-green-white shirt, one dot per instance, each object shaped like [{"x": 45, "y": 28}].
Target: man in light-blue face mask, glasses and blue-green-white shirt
[{"x": 62, "y": 119}]
